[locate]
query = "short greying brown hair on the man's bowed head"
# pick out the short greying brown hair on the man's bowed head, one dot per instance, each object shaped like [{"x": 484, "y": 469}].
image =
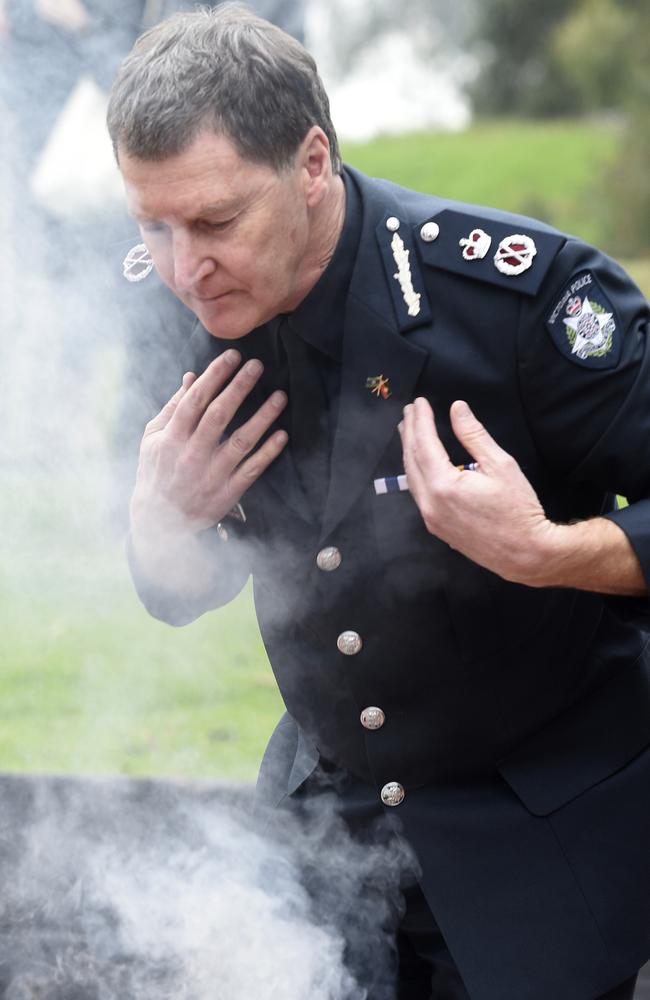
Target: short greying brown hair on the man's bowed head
[{"x": 224, "y": 69}]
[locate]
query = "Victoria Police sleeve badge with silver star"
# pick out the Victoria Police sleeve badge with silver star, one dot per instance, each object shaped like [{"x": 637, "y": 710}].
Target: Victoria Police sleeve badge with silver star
[{"x": 584, "y": 325}]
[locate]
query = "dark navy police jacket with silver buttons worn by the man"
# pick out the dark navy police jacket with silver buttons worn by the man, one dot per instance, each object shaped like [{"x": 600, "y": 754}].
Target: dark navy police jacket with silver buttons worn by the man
[{"x": 517, "y": 719}]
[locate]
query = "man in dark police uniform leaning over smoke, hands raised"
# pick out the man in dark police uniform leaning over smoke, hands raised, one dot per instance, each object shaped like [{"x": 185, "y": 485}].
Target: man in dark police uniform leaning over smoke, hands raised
[{"x": 454, "y": 609}]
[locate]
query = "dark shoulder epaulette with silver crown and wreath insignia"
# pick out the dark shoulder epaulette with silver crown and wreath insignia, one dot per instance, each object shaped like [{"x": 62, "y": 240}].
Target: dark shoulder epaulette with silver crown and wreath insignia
[{"x": 504, "y": 254}]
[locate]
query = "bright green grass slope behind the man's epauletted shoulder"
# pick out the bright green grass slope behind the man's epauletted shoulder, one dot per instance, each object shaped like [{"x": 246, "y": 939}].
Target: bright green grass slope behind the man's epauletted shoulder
[{"x": 549, "y": 170}]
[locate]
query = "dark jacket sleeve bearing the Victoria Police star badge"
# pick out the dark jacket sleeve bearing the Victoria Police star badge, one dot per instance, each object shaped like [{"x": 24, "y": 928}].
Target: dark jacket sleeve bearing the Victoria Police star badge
[{"x": 584, "y": 369}]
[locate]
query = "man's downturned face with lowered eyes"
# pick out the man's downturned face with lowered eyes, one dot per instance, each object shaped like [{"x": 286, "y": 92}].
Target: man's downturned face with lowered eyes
[{"x": 227, "y": 235}]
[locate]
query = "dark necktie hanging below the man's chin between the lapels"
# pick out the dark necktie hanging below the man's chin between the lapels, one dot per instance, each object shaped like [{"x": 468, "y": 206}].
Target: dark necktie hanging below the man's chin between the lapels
[{"x": 309, "y": 439}]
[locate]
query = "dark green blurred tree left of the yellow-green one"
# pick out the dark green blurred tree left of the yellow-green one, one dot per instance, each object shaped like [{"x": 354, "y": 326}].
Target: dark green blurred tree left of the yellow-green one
[{"x": 520, "y": 72}]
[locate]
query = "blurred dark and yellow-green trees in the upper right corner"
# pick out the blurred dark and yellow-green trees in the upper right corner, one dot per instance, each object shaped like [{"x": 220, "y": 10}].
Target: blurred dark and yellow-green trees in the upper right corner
[{"x": 565, "y": 57}]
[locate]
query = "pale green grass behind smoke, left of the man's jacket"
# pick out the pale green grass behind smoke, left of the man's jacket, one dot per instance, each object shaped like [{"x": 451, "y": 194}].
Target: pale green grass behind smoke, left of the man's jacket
[{"x": 96, "y": 686}]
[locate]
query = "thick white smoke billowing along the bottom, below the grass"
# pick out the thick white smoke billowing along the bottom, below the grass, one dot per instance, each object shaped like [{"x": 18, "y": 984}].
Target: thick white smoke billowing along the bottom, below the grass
[{"x": 147, "y": 892}]
